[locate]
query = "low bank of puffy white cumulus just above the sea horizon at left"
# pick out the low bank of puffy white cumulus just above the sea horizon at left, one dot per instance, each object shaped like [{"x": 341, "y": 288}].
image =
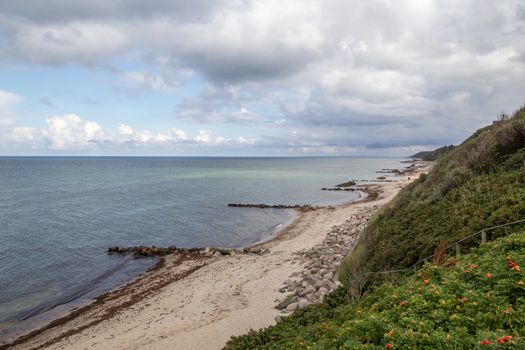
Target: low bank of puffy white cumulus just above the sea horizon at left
[{"x": 70, "y": 132}]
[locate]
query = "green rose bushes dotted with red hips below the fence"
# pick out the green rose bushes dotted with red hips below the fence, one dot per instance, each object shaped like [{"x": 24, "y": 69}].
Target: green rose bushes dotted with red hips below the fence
[{"x": 477, "y": 302}]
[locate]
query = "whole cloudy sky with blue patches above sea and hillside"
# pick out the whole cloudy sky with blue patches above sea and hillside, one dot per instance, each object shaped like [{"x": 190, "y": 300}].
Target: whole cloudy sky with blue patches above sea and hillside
[{"x": 255, "y": 78}]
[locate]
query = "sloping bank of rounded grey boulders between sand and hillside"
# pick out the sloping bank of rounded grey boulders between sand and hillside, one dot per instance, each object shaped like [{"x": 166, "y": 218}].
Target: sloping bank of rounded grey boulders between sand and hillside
[{"x": 319, "y": 275}]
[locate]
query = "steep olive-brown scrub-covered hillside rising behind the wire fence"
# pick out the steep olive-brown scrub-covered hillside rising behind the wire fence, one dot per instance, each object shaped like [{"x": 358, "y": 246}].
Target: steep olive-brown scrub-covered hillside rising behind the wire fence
[{"x": 478, "y": 184}]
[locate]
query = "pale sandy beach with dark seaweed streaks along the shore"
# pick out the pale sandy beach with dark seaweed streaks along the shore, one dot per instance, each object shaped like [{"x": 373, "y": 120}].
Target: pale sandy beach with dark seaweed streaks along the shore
[{"x": 225, "y": 296}]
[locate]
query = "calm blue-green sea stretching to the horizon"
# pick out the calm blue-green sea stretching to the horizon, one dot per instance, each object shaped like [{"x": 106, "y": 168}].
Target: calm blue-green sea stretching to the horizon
[{"x": 58, "y": 215}]
